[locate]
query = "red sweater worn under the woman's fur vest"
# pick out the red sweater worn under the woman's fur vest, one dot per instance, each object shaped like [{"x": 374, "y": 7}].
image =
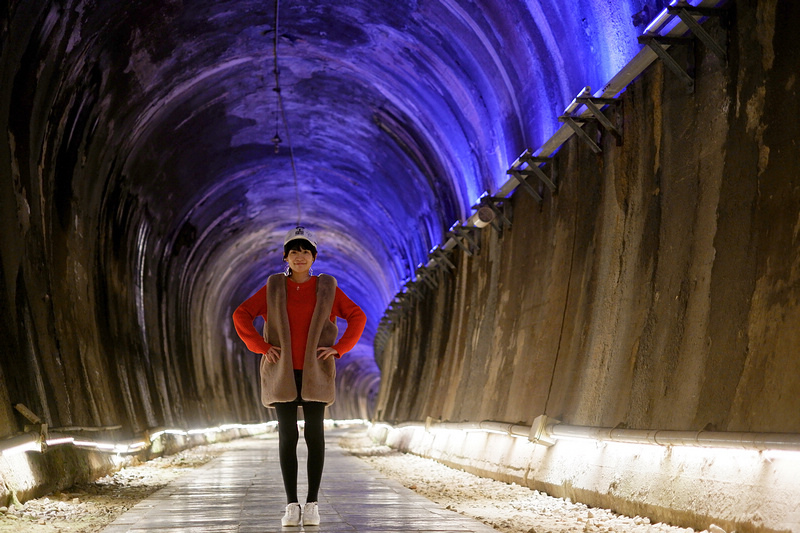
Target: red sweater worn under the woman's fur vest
[{"x": 301, "y": 298}]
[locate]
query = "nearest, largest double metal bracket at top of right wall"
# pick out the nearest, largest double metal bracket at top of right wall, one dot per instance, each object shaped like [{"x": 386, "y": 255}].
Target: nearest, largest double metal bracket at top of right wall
[{"x": 686, "y": 13}]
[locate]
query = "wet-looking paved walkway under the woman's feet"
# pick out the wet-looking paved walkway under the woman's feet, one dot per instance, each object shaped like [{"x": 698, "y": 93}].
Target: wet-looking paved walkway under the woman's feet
[{"x": 241, "y": 491}]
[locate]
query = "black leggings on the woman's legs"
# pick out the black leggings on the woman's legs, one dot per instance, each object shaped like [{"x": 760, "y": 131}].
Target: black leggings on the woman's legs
[{"x": 288, "y": 436}]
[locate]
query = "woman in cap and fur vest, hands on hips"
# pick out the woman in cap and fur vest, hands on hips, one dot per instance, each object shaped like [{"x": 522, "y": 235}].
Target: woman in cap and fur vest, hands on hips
[{"x": 297, "y": 366}]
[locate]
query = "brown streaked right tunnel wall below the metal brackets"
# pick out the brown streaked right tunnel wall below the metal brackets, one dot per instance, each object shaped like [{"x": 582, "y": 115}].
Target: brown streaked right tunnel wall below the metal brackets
[{"x": 658, "y": 288}]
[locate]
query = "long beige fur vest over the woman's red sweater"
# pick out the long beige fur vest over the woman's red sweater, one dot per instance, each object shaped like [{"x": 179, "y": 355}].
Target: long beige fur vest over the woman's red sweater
[{"x": 277, "y": 379}]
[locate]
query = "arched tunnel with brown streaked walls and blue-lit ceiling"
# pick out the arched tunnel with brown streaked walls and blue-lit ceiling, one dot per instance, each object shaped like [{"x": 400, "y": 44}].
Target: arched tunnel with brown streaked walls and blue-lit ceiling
[{"x": 579, "y": 213}]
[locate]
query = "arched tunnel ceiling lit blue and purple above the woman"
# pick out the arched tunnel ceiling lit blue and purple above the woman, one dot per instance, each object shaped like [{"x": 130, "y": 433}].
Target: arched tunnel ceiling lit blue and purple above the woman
[{"x": 398, "y": 115}]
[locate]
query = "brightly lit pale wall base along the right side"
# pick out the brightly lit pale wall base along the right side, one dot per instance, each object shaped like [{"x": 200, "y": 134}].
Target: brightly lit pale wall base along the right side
[{"x": 690, "y": 487}]
